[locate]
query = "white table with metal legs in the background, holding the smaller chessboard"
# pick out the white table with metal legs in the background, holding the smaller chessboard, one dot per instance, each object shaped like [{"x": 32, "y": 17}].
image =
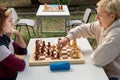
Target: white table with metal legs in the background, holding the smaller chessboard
[{"x": 42, "y": 14}]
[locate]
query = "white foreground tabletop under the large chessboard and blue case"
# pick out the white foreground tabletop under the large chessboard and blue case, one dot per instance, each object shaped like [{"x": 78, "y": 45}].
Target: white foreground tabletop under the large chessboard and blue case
[{"x": 85, "y": 71}]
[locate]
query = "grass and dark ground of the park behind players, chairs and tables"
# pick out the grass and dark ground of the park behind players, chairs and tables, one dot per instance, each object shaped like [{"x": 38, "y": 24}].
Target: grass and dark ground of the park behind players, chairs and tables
[{"x": 28, "y": 9}]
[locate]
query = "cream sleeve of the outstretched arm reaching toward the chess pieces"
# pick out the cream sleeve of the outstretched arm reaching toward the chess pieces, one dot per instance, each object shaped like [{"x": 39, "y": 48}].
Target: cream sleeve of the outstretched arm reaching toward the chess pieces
[{"x": 84, "y": 30}]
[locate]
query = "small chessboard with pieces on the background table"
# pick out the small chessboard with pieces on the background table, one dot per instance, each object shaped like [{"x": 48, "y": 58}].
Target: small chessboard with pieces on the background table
[{"x": 53, "y": 8}]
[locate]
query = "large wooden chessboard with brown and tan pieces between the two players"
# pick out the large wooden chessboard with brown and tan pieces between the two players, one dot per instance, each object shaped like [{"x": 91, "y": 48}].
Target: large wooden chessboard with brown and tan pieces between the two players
[{"x": 44, "y": 53}]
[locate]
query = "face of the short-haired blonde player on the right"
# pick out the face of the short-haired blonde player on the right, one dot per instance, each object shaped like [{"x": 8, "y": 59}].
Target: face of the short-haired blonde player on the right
[{"x": 105, "y": 19}]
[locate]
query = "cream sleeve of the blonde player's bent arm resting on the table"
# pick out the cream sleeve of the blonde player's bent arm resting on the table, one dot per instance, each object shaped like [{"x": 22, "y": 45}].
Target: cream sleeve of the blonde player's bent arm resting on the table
[{"x": 105, "y": 53}]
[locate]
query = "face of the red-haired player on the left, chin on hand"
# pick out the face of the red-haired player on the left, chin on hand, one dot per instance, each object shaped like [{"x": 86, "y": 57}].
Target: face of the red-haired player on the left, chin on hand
[{"x": 8, "y": 24}]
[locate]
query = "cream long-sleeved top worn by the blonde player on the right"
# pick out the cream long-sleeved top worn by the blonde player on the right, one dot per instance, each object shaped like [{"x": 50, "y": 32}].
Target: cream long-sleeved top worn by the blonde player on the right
[{"x": 107, "y": 54}]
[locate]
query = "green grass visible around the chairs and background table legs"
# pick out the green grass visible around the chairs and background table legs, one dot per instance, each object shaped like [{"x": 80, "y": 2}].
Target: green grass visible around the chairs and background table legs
[{"x": 52, "y": 24}]
